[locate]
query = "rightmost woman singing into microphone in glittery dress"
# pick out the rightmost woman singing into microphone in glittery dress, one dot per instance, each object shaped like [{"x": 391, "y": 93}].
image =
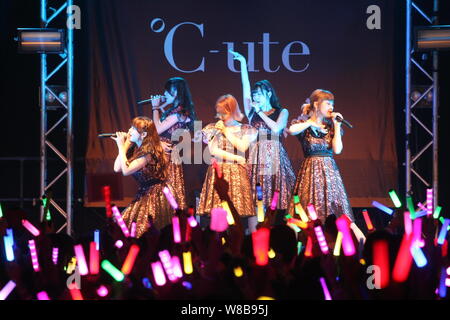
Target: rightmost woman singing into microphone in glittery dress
[{"x": 319, "y": 182}]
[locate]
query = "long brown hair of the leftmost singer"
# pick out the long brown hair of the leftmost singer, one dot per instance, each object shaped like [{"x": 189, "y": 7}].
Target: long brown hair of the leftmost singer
[{"x": 151, "y": 147}]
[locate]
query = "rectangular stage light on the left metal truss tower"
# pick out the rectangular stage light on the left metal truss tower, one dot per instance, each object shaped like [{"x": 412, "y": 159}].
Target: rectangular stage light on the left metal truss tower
[{"x": 37, "y": 40}]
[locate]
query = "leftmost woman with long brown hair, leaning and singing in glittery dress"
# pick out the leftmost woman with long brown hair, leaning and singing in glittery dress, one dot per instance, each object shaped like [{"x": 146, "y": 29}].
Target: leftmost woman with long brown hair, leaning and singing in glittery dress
[{"x": 141, "y": 155}]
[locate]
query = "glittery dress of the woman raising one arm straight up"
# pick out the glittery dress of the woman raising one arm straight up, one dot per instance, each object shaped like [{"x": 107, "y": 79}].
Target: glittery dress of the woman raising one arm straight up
[{"x": 269, "y": 164}]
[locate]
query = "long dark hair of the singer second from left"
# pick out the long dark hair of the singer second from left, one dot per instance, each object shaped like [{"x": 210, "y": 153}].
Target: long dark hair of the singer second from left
[{"x": 183, "y": 100}]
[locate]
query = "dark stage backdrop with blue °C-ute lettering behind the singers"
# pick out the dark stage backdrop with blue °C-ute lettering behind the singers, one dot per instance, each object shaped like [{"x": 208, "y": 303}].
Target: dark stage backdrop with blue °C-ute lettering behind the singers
[{"x": 135, "y": 46}]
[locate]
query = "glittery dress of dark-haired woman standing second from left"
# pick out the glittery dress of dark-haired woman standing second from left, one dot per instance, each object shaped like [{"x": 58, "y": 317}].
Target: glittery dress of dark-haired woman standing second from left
[{"x": 175, "y": 171}]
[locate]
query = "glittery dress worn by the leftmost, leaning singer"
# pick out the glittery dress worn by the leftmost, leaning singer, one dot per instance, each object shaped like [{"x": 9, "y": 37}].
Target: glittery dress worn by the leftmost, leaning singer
[{"x": 150, "y": 201}]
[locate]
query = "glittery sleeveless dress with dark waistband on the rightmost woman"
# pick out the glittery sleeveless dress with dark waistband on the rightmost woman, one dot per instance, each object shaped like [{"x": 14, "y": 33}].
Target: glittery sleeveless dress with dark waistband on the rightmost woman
[{"x": 319, "y": 181}]
